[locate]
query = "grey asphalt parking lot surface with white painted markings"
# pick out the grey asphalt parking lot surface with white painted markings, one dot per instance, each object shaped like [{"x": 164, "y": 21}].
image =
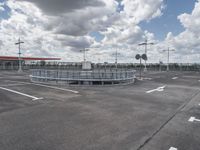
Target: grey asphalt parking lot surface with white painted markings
[{"x": 159, "y": 112}]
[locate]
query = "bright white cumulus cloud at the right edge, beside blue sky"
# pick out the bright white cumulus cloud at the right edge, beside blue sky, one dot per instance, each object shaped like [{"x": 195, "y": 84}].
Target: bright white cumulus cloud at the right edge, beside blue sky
[{"x": 187, "y": 42}]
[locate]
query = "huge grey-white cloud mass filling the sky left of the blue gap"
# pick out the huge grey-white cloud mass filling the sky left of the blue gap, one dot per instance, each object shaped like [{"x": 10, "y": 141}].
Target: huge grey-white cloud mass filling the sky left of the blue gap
[{"x": 61, "y": 28}]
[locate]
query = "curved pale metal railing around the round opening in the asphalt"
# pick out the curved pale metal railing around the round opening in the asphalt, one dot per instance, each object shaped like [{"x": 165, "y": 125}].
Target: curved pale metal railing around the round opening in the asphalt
[{"x": 70, "y": 75}]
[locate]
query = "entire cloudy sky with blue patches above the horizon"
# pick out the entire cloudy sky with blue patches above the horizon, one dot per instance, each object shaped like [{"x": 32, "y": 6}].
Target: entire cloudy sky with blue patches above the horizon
[{"x": 61, "y": 28}]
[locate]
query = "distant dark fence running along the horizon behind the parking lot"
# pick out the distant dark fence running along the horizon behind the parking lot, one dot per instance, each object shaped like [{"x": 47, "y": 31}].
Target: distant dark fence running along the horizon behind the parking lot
[{"x": 152, "y": 67}]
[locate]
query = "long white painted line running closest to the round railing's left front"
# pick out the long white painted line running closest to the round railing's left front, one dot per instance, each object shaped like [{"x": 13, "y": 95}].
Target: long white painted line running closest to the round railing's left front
[{"x": 52, "y": 87}]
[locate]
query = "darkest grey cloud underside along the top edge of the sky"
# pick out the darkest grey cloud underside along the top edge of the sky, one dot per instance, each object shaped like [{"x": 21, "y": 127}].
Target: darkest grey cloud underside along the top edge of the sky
[{"x": 56, "y": 7}]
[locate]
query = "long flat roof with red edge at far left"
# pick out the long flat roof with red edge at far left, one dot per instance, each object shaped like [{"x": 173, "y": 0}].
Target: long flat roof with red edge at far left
[{"x": 26, "y": 58}]
